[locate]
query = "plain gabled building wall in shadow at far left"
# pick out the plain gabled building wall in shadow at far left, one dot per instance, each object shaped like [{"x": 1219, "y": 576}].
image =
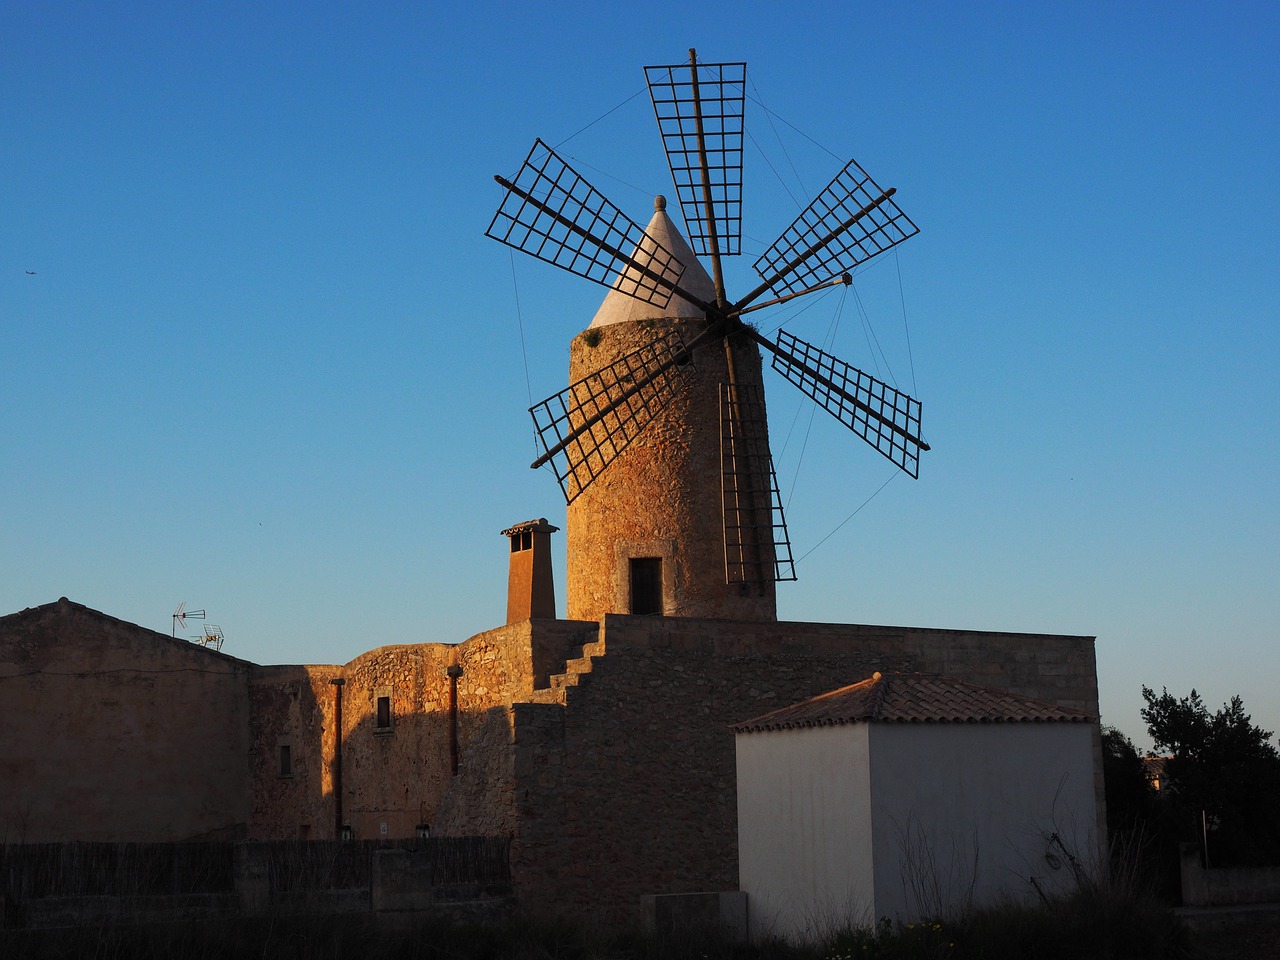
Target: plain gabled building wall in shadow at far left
[{"x": 115, "y": 733}]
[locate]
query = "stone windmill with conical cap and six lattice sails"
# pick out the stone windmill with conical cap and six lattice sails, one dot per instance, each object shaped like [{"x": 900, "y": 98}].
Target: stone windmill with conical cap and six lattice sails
[{"x": 660, "y": 444}]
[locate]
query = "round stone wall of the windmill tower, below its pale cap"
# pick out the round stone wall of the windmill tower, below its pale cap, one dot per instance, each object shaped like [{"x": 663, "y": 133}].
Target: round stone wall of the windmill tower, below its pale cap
[{"x": 673, "y": 468}]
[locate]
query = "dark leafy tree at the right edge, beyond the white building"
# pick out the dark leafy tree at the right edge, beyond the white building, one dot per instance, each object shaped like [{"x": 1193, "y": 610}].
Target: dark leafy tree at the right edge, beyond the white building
[{"x": 1223, "y": 776}]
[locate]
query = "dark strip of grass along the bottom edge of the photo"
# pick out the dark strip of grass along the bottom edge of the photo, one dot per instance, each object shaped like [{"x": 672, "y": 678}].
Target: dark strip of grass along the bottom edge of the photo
[{"x": 1081, "y": 927}]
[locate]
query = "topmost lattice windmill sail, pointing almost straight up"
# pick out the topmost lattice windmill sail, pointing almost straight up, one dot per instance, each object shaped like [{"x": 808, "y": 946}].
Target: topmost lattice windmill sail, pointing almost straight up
[{"x": 700, "y": 109}]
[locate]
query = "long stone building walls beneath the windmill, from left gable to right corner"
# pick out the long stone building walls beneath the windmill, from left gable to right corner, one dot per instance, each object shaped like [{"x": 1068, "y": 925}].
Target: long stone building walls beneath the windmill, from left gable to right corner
[{"x": 604, "y": 749}]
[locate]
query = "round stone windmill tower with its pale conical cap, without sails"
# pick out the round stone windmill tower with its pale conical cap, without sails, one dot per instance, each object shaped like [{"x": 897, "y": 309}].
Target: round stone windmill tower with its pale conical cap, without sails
[{"x": 687, "y": 552}]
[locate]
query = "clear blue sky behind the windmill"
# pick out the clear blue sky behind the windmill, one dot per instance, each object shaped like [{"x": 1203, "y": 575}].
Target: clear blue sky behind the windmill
[{"x": 269, "y": 365}]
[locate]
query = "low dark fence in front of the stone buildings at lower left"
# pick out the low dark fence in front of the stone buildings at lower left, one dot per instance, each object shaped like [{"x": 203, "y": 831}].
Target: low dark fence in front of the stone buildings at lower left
[{"x": 52, "y": 886}]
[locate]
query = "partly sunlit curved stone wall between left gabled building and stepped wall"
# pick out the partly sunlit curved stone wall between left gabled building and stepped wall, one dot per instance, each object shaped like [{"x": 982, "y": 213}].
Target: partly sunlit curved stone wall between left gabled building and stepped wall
[{"x": 399, "y": 776}]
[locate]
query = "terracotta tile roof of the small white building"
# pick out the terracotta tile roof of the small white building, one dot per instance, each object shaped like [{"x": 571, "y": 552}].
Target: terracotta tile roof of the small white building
[{"x": 913, "y": 698}]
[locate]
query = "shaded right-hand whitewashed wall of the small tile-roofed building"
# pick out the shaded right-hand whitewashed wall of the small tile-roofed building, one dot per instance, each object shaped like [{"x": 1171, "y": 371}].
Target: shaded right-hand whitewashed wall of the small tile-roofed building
[{"x": 966, "y": 810}]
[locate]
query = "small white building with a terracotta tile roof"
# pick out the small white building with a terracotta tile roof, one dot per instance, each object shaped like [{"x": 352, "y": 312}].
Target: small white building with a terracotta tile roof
[{"x": 909, "y": 797}]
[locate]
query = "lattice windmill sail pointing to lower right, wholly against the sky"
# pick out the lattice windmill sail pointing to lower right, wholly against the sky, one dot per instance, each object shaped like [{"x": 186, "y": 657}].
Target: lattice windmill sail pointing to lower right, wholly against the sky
[{"x": 884, "y": 417}]
